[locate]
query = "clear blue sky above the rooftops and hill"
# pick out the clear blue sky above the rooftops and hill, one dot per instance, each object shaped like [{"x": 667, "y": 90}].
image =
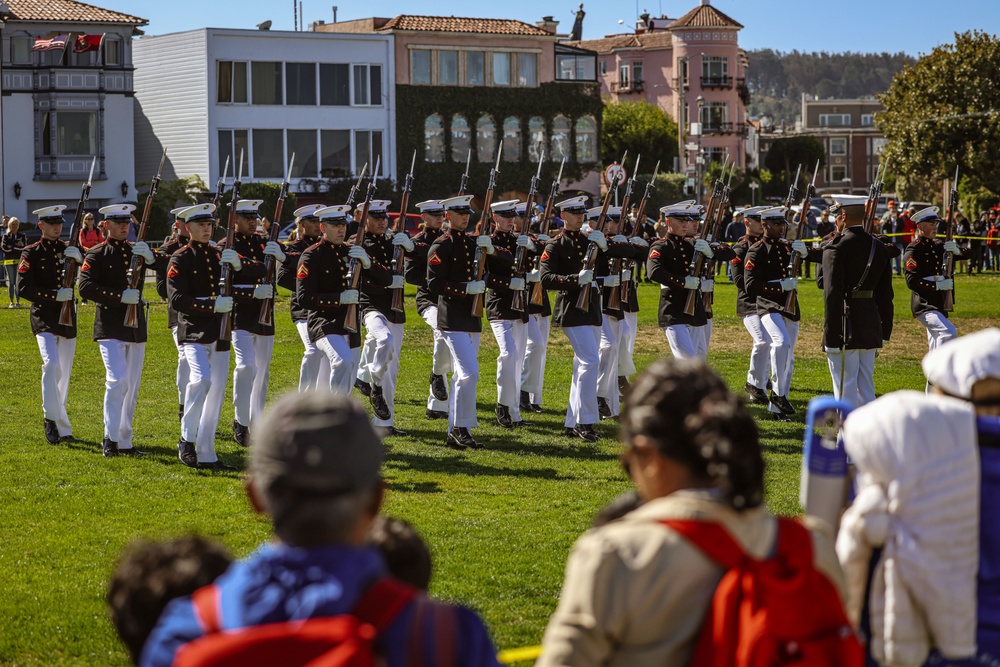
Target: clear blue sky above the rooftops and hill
[{"x": 913, "y": 26}]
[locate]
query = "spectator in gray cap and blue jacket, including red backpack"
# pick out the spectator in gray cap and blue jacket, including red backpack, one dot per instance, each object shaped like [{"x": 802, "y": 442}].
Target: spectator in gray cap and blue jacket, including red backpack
[{"x": 318, "y": 591}]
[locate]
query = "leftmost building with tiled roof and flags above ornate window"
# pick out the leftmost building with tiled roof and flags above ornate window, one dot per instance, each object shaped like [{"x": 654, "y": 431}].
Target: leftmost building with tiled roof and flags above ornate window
[{"x": 62, "y": 108}]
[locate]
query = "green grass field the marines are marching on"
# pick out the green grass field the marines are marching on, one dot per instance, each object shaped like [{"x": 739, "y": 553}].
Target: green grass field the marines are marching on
[{"x": 500, "y": 522}]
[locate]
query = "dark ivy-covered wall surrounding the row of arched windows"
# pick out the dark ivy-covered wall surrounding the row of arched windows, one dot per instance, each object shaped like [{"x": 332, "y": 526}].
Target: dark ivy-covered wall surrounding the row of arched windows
[{"x": 442, "y": 179}]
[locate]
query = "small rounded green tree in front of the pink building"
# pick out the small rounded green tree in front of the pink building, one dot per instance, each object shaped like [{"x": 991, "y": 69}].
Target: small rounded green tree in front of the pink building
[{"x": 639, "y": 128}]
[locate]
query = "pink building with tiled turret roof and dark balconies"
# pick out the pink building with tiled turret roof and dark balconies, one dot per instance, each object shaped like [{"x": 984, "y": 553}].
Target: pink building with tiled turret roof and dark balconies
[{"x": 691, "y": 67}]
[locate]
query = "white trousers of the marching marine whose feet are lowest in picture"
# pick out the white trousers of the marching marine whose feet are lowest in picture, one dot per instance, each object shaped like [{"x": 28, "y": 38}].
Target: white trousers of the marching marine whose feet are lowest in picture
[{"x": 203, "y": 397}]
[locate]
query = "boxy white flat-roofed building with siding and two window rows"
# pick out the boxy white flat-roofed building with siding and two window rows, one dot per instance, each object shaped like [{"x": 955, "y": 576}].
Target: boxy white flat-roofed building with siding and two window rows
[{"x": 206, "y": 94}]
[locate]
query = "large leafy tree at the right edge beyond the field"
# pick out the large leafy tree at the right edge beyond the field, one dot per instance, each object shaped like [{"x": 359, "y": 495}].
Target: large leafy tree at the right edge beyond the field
[{"x": 944, "y": 111}]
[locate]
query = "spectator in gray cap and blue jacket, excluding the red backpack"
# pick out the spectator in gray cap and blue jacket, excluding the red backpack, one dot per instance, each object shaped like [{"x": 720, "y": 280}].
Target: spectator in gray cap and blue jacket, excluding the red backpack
[{"x": 315, "y": 464}]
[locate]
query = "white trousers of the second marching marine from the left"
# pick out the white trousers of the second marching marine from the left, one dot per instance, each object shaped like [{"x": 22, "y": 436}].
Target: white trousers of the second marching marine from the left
[{"x": 122, "y": 375}]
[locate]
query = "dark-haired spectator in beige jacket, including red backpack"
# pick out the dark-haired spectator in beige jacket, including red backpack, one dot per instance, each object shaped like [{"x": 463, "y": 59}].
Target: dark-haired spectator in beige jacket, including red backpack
[{"x": 700, "y": 572}]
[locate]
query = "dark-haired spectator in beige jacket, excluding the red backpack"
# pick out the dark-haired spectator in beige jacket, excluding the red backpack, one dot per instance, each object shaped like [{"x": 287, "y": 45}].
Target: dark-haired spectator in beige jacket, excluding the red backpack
[{"x": 635, "y": 591}]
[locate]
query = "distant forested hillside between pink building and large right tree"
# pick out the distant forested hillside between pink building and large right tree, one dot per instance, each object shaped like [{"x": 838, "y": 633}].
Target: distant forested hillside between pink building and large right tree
[{"x": 777, "y": 80}]
